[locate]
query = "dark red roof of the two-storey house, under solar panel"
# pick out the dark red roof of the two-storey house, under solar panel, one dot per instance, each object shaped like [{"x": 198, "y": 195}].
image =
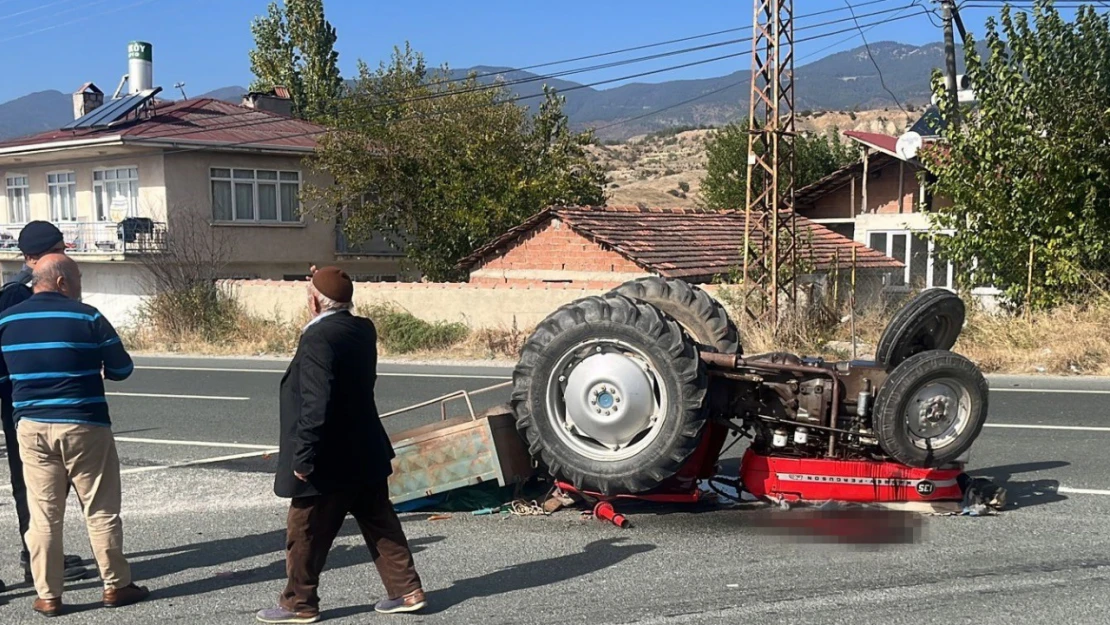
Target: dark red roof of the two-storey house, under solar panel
[{"x": 204, "y": 122}]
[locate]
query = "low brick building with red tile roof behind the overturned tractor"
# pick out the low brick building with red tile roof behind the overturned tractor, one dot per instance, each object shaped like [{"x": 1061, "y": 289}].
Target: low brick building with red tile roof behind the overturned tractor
[{"x": 606, "y": 246}]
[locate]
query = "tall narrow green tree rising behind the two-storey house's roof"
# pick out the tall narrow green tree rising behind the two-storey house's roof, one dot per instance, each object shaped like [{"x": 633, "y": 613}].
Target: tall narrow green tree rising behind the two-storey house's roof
[{"x": 296, "y": 48}]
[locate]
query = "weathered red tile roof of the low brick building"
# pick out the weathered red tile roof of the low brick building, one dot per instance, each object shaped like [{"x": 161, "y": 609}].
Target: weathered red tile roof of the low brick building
[{"x": 690, "y": 244}]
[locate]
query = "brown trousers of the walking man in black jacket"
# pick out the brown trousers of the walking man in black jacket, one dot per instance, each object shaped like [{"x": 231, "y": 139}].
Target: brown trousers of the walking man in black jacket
[{"x": 312, "y": 527}]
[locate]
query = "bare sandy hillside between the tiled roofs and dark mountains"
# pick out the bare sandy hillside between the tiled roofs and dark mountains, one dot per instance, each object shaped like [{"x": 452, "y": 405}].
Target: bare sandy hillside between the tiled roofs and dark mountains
[{"x": 653, "y": 169}]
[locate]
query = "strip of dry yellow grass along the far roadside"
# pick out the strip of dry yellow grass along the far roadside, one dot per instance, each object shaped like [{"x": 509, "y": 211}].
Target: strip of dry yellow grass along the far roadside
[{"x": 1069, "y": 341}]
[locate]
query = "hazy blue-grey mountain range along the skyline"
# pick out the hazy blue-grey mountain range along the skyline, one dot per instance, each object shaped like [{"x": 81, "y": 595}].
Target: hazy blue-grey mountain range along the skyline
[{"x": 881, "y": 76}]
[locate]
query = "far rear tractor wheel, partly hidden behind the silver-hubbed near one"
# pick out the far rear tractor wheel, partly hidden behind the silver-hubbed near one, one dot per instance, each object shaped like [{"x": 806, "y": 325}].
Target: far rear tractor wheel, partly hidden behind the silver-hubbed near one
[{"x": 702, "y": 316}]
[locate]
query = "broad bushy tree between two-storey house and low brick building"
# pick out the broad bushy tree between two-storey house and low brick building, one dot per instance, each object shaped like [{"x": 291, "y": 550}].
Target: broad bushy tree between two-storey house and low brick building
[{"x": 448, "y": 165}]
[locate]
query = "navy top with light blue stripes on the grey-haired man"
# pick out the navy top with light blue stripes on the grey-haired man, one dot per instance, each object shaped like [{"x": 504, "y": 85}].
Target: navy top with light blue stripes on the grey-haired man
[{"x": 57, "y": 354}]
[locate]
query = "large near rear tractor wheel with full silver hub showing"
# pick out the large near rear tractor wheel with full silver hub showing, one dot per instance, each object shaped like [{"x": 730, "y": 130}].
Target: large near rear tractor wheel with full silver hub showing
[{"x": 610, "y": 395}]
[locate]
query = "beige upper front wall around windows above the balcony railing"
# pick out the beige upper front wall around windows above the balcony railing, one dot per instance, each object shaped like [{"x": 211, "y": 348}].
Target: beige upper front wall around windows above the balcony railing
[{"x": 152, "y": 185}]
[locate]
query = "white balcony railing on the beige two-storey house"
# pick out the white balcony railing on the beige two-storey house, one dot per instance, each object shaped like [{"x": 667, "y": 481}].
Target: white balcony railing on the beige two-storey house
[{"x": 133, "y": 236}]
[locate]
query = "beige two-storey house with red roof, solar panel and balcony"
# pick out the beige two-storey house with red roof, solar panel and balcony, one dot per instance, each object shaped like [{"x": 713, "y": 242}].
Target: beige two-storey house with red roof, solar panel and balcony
[{"x": 132, "y": 173}]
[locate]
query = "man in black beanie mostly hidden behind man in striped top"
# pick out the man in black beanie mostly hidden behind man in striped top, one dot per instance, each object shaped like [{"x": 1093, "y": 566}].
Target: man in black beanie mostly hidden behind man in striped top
[{"x": 37, "y": 240}]
